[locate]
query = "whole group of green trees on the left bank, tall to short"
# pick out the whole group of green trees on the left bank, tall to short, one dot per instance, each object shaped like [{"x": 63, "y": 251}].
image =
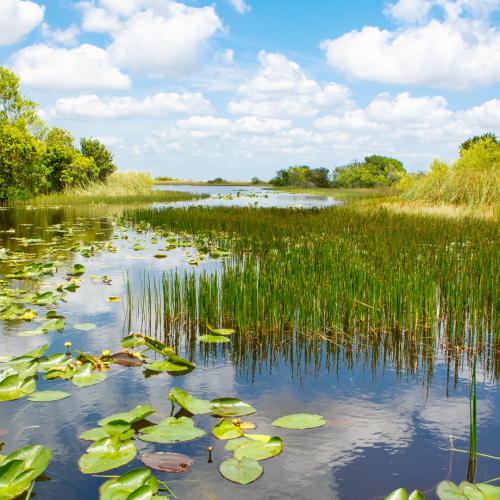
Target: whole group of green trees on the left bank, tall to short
[{"x": 36, "y": 158}]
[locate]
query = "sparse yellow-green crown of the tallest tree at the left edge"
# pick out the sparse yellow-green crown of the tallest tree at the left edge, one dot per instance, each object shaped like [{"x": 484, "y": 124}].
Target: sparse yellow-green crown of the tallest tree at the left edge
[{"x": 16, "y": 108}]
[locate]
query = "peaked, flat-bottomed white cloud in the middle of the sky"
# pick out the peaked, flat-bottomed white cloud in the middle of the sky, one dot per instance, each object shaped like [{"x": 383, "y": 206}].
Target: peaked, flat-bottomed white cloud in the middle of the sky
[{"x": 281, "y": 88}]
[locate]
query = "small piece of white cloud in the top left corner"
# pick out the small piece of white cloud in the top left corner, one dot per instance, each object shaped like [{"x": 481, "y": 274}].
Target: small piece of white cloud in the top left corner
[{"x": 17, "y": 19}]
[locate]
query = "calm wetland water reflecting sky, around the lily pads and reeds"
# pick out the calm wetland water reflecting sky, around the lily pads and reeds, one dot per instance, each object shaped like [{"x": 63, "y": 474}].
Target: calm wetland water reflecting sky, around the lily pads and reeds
[{"x": 388, "y": 426}]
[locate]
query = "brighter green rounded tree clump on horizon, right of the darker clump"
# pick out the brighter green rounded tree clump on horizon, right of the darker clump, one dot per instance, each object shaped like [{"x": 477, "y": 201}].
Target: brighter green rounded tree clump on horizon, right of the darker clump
[{"x": 375, "y": 171}]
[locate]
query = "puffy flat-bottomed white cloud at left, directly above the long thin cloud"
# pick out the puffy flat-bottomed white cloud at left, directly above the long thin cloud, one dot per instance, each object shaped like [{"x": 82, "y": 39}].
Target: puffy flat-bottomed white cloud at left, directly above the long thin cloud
[{"x": 55, "y": 69}]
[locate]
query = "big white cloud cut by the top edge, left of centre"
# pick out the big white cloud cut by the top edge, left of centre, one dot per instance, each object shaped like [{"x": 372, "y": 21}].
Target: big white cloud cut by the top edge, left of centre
[{"x": 155, "y": 37}]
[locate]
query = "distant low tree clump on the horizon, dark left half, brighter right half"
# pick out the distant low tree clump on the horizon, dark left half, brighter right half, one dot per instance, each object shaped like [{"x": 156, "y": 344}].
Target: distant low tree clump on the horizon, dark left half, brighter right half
[{"x": 374, "y": 171}]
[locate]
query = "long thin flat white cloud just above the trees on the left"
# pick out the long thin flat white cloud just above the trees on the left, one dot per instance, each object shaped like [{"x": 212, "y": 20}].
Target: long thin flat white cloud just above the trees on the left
[{"x": 91, "y": 106}]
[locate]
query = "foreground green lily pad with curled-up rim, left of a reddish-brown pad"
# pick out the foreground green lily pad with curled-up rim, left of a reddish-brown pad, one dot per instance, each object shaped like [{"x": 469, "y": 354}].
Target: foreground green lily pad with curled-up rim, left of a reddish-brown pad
[{"x": 106, "y": 454}]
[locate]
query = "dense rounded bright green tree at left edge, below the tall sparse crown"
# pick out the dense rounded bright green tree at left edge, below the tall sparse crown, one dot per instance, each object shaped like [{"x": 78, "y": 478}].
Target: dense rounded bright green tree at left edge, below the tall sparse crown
[{"x": 22, "y": 172}]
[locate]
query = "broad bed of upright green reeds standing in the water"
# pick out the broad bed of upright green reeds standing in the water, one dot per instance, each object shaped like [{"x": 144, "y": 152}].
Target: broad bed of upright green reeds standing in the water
[{"x": 337, "y": 271}]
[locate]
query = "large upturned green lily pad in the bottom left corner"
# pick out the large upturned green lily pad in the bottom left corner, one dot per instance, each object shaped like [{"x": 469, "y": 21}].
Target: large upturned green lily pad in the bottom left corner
[{"x": 19, "y": 470}]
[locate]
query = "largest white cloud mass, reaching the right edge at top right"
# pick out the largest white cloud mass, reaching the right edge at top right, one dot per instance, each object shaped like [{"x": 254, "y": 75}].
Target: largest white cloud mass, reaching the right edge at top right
[{"x": 459, "y": 52}]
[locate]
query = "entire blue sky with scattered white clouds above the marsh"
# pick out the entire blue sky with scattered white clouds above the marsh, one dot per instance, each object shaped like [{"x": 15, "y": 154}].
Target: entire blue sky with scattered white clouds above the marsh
[{"x": 237, "y": 89}]
